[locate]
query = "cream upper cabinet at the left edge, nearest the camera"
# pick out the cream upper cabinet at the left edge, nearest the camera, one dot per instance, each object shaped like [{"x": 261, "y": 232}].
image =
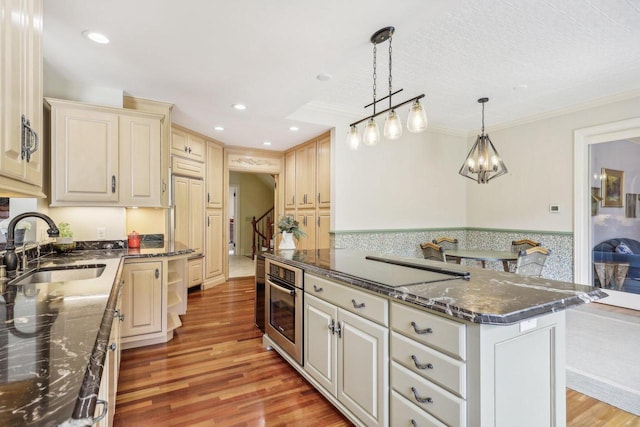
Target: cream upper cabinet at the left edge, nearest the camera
[{"x": 21, "y": 122}]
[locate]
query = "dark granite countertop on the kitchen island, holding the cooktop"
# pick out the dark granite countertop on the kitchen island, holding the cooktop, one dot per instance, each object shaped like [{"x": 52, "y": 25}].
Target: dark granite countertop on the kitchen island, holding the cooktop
[{"x": 487, "y": 296}]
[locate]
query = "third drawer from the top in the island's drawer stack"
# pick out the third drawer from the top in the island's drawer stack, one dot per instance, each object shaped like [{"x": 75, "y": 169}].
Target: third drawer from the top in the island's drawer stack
[{"x": 438, "y": 402}]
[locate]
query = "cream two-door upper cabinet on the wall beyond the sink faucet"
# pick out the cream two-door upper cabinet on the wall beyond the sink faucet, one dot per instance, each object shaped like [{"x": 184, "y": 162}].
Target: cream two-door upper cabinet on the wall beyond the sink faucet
[{"x": 102, "y": 156}]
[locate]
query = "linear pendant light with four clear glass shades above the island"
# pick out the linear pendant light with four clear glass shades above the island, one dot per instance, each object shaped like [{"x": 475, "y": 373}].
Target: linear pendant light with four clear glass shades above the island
[{"x": 416, "y": 122}]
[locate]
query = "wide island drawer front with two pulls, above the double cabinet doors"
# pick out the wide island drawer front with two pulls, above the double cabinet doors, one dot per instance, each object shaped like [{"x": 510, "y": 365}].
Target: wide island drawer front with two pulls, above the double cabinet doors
[{"x": 366, "y": 305}]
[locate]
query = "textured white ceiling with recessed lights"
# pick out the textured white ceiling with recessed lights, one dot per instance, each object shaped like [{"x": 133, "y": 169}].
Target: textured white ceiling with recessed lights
[{"x": 530, "y": 57}]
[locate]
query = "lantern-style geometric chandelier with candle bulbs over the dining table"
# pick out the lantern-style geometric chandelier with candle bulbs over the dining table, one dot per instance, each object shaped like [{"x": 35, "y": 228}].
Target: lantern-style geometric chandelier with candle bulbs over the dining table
[{"x": 483, "y": 162}]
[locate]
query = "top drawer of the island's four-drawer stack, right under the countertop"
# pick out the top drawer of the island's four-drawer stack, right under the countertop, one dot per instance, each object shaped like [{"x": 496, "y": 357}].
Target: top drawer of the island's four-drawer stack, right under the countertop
[{"x": 435, "y": 331}]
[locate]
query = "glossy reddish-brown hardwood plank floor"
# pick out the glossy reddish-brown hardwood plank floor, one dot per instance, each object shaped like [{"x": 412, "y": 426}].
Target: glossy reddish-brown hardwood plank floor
[{"x": 216, "y": 372}]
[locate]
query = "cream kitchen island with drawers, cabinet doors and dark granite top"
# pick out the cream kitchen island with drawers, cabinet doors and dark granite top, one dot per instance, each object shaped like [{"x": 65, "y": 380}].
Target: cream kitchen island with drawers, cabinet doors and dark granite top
[{"x": 402, "y": 341}]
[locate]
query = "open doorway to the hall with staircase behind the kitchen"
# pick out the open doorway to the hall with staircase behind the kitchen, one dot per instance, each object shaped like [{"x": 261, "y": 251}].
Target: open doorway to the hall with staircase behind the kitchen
[{"x": 250, "y": 196}]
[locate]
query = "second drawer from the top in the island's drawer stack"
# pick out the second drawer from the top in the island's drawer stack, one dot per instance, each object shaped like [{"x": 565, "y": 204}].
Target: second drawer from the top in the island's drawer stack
[{"x": 429, "y": 363}]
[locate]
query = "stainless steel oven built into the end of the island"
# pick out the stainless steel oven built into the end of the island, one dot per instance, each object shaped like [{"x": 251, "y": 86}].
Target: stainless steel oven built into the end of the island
[{"x": 283, "y": 306}]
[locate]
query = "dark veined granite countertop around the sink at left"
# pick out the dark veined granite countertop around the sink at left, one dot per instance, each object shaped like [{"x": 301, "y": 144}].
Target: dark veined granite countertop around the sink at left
[{"x": 55, "y": 335}]
